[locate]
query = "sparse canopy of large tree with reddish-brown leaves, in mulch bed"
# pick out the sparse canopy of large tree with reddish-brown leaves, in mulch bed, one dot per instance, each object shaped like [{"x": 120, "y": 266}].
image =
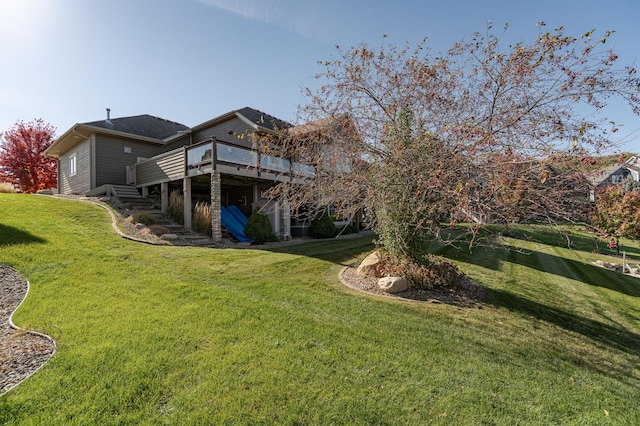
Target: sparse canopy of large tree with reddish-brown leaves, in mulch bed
[{"x": 473, "y": 135}]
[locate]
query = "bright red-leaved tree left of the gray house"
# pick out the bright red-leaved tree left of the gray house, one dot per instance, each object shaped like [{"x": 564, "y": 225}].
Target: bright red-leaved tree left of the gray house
[{"x": 21, "y": 159}]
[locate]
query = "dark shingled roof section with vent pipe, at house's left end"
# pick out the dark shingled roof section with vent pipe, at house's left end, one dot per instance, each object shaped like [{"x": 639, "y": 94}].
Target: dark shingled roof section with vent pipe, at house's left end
[{"x": 141, "y": 125}]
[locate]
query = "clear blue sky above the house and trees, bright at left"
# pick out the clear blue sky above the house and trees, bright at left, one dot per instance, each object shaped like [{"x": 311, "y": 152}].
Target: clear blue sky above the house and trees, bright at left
[{"x": 65, "y": 61}]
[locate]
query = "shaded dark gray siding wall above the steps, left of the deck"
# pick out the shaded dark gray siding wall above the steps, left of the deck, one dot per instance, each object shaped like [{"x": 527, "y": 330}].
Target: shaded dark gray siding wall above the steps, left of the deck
[{"x": 112, "y": 160}]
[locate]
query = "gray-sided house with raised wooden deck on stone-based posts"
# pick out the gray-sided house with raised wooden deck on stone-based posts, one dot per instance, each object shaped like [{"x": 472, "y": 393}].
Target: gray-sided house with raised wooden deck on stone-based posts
[{"x": 219, "y": 161}]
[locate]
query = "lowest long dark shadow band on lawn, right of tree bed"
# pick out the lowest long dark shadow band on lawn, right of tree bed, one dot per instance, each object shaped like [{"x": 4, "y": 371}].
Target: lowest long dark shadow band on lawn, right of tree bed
[{"x": 614, "y": 337}]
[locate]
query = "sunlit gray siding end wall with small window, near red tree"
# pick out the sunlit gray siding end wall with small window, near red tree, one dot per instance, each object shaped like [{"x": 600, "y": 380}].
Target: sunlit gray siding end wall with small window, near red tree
[{"x": 81, "y": 181}]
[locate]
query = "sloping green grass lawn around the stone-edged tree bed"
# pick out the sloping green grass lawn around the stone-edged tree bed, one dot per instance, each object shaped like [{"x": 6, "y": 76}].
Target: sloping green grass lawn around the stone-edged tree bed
[{"x": 181, "y": 335}]
